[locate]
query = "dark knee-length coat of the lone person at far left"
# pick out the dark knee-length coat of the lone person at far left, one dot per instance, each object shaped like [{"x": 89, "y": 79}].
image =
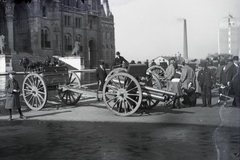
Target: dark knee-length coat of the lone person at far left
[{"x": 13, "y": 99}]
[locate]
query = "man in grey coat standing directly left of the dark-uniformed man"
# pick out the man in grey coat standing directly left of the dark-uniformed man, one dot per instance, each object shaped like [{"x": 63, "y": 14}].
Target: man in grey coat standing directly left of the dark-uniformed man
[{"x": 187, "y": 80}]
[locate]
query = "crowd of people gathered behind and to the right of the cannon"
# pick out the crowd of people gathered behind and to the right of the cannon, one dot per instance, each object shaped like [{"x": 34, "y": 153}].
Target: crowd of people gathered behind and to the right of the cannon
[{"x": 192, "y": 81}]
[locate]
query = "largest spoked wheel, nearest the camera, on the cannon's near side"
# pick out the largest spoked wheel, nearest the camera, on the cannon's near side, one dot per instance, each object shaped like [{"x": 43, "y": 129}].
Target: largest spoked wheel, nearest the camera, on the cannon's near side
[{"x": 122, "y": 94}]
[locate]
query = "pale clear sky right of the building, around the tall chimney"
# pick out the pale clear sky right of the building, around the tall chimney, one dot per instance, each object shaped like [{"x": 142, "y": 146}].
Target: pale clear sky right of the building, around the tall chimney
[{"x": 146, "y": 29}]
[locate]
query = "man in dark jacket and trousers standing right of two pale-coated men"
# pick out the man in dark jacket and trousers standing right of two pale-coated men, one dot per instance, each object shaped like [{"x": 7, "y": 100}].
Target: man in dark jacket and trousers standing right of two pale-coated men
[{"x": 206, "y": 81}]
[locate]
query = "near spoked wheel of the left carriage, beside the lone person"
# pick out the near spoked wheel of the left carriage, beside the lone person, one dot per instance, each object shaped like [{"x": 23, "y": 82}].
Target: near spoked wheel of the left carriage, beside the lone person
[{"x": 34, "y": 91}]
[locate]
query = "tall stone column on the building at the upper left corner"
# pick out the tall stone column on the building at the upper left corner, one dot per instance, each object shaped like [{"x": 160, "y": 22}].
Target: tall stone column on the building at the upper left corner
[{"x": 9, "y": 10}]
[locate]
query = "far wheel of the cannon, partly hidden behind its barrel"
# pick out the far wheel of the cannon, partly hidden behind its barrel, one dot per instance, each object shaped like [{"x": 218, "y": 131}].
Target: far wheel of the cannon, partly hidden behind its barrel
[{"x": 149, "y": 103}]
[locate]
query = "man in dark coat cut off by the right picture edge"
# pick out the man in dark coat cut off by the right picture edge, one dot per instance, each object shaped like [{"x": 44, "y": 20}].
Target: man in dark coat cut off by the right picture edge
[{"x": 235, "y": 88}]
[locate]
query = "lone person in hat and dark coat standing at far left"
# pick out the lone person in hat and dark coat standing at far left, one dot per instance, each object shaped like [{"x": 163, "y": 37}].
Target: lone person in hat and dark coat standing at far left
[{"x": 13, "y": 92}]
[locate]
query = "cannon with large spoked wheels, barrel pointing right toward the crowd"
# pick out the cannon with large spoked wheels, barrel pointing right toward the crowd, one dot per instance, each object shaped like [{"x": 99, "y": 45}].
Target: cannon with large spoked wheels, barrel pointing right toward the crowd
[{"x": 125, "y": 92}]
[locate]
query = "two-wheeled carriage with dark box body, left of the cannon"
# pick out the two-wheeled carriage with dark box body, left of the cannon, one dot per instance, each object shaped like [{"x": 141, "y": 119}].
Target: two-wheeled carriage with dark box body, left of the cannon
[{"x": 36, "y": 85}]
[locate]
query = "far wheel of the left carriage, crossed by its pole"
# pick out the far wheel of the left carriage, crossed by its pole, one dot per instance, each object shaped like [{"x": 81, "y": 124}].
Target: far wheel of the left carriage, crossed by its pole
[{"x": 68, "y": 97}]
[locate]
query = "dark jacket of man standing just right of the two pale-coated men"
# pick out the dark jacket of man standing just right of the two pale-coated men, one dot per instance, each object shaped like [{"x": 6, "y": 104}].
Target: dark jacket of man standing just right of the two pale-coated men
[{"x": 206, "y": 78}]
